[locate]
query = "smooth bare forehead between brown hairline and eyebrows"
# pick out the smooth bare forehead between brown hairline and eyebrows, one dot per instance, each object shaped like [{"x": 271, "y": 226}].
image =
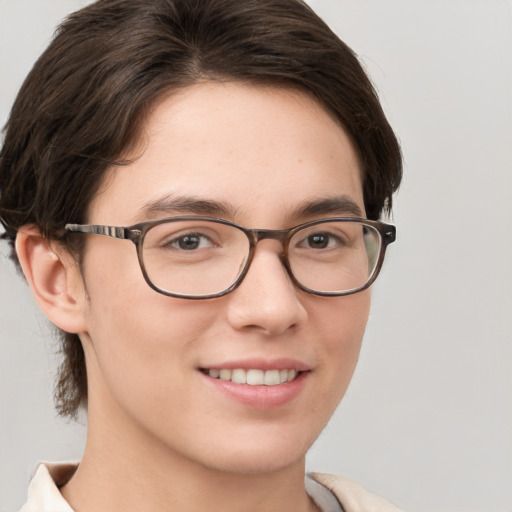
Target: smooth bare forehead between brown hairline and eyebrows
[{"x": 252, "y": 149}]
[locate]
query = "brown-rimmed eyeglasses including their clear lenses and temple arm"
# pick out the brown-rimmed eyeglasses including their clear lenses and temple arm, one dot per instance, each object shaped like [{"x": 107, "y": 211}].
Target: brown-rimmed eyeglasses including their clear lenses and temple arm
[{"x": 201, "y": 258}]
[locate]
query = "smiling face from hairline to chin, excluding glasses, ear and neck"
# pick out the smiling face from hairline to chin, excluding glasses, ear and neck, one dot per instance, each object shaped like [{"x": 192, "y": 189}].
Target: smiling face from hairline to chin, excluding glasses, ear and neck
[{"x": 255, "y": 156}]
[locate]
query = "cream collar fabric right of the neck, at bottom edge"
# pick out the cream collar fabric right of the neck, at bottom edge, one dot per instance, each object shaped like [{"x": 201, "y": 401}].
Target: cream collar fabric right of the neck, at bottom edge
[{"x": 353, "y": 496}]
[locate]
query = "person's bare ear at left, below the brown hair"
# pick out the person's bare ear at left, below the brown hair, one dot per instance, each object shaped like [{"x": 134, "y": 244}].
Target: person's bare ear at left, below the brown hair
[{"x": 54, "y": 278}]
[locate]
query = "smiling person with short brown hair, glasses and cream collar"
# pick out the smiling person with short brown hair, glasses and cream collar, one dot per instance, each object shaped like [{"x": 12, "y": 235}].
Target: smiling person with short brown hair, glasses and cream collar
[{"x": 240, "y": 148}]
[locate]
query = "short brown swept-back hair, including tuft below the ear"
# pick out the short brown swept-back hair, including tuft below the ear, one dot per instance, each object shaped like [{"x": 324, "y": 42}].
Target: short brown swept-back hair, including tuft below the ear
[{"x": 82, "y": 105}]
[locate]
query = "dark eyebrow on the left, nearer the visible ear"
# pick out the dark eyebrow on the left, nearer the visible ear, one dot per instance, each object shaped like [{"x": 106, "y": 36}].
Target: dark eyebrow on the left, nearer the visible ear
[{"x": 170, "y": 204}]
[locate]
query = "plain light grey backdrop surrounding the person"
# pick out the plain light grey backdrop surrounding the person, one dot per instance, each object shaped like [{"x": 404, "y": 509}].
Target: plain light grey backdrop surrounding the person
[{"x": 427, "y": 420}]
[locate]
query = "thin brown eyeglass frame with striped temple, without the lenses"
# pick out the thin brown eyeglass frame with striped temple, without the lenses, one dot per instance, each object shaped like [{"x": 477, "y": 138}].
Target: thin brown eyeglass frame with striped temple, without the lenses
[{"x": 137, "y": 232}]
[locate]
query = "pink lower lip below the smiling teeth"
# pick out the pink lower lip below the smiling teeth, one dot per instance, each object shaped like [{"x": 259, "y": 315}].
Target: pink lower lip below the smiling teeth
[{"x": 260, "y": 397}]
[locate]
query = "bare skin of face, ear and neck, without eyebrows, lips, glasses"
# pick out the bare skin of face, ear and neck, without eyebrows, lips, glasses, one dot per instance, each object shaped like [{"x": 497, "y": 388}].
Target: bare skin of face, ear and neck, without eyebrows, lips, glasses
[{"x": 159, "y": 437}]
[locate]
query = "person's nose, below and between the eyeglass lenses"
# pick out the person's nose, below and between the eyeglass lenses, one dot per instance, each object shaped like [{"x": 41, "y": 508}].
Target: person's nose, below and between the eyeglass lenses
[{"x": 267, "y": 300}]
